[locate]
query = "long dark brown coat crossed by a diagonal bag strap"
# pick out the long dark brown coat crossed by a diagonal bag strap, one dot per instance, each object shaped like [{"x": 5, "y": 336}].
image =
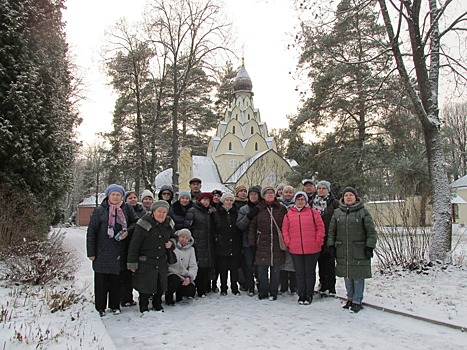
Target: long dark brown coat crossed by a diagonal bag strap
[{"x": 263, "y": 233}]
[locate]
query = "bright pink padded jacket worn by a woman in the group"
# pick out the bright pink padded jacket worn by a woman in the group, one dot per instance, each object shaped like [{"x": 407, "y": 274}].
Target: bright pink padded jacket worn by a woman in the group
[{"x": 303, "y": 232}]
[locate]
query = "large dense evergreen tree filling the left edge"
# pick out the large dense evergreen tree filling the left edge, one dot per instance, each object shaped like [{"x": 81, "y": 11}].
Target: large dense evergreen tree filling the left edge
[{"x": 36, "y": 116}]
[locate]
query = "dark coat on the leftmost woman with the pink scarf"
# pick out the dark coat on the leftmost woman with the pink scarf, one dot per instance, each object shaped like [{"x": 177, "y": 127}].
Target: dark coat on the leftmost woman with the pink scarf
[{"x": 110, "y": 255}]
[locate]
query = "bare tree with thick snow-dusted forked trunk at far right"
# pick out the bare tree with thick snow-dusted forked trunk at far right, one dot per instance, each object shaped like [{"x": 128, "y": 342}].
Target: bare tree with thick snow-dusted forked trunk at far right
[{"x": 419, "y": 67}]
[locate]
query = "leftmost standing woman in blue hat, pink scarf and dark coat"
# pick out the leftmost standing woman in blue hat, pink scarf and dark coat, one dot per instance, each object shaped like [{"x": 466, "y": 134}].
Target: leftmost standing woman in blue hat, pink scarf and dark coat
[{"x": 108, "y": 231}]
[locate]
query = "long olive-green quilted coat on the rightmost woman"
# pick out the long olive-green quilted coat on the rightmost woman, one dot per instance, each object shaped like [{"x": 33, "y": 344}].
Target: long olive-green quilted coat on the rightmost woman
[{"x": 350, "y": 236}]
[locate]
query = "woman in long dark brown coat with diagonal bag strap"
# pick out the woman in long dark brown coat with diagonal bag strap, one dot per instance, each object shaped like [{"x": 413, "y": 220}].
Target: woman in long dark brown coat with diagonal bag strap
[{"x": 263, "y": 233}]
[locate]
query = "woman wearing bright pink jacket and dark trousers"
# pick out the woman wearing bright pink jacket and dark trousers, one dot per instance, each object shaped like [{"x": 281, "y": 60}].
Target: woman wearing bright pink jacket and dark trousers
[{"x": 303, "y": 231}]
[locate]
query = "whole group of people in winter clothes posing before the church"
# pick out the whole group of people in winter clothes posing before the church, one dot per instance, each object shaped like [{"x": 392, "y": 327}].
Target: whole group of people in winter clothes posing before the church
[{"x": 269, "y": 238}]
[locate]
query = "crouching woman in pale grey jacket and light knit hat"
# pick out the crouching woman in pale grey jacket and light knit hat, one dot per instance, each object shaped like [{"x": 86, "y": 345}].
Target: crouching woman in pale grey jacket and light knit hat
[{"x": 183, "y": 273}]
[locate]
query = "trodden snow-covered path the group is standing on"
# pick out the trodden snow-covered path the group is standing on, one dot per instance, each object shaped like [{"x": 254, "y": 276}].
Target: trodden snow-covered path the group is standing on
[{"x": 244, "y": 322}]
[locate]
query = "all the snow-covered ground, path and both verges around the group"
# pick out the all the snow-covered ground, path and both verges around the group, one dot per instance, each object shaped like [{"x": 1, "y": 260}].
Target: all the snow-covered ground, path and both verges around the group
[{"x": 245, "y": 322}]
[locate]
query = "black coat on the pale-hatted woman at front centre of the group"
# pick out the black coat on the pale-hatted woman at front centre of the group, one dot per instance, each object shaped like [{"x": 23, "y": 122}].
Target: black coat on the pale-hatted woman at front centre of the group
[{"x": 228, "y": 237}]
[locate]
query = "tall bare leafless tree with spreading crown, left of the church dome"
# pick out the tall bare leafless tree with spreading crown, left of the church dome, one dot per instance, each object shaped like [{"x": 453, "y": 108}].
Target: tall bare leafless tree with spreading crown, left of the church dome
[{"x": 191, "y": 33}]
